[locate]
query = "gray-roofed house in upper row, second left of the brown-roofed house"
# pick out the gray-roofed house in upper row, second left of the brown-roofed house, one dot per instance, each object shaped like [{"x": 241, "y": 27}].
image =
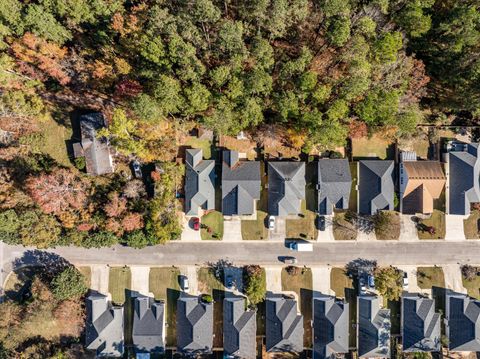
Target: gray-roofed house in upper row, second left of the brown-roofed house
[{"x": 333, "y": 186}]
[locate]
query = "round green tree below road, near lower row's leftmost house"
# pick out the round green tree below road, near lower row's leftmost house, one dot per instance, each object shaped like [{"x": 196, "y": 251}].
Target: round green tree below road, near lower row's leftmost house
[{"x": 69, "y": 284}]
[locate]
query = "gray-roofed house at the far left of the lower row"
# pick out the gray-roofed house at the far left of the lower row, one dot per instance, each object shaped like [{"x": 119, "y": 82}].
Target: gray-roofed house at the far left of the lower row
[{"x": 104, "y": 327}]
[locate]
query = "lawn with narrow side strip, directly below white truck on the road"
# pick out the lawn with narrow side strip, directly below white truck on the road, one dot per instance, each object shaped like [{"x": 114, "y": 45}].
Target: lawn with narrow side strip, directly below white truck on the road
[{"x": 302, "y": 285}]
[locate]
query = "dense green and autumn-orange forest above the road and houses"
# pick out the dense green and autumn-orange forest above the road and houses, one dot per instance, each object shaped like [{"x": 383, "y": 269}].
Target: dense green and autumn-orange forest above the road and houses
[{"x": 321, "y": 70}]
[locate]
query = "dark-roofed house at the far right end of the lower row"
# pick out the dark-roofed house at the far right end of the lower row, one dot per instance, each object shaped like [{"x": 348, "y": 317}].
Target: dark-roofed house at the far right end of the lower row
[{"x": 462, "y": 322}]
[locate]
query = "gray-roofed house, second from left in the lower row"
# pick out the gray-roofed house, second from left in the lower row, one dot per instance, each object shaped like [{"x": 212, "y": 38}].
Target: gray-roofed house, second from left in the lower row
[{"x": 148, "y": 333}]
